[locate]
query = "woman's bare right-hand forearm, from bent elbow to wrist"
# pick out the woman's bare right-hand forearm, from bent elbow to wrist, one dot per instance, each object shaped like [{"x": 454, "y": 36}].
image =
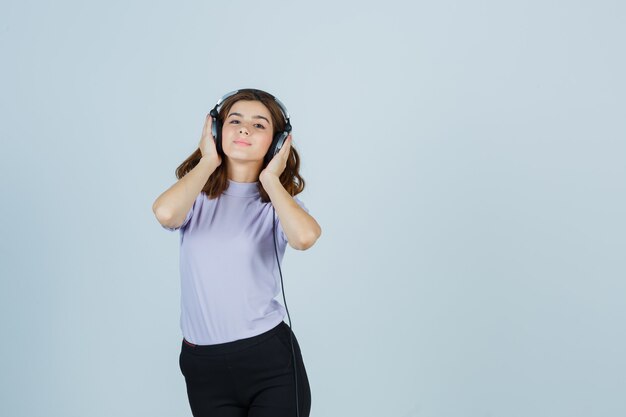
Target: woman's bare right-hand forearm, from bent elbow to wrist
[{"x": 300, "y": 228}]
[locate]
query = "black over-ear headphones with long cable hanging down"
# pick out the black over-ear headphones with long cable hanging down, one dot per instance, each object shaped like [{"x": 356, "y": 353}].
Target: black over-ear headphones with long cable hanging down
[{"x": 277, "y": 144}]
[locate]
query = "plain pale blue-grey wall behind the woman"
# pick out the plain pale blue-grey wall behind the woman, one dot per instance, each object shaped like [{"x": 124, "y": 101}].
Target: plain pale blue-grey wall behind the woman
[{"x": 466, "y": 161}]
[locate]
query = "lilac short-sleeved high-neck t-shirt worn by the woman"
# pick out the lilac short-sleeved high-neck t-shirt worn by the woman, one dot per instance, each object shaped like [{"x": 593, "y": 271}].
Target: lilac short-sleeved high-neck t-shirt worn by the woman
[{"x": 228, "y": 270}]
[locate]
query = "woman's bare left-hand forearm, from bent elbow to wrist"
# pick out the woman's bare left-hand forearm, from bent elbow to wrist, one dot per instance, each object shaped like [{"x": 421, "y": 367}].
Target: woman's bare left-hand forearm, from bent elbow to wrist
[{"x": 172, "y": 206}]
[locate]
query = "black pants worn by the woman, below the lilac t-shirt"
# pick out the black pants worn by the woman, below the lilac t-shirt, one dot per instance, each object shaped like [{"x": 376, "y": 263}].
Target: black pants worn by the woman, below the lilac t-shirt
[{"x": 252, "y": 377}]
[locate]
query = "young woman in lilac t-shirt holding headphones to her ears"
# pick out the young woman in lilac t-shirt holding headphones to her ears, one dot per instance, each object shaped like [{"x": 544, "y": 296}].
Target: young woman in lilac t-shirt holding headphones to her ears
[{"x": 235, "y": 206}]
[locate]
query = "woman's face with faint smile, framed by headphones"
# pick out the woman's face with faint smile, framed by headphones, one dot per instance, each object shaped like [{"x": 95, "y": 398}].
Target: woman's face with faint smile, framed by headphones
[{"x": 247, "y": 131}]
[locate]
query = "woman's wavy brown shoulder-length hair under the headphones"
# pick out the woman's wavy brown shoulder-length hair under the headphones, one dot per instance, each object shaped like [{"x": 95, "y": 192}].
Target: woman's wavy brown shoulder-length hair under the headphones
[{"x": 218, "y": 181}]
